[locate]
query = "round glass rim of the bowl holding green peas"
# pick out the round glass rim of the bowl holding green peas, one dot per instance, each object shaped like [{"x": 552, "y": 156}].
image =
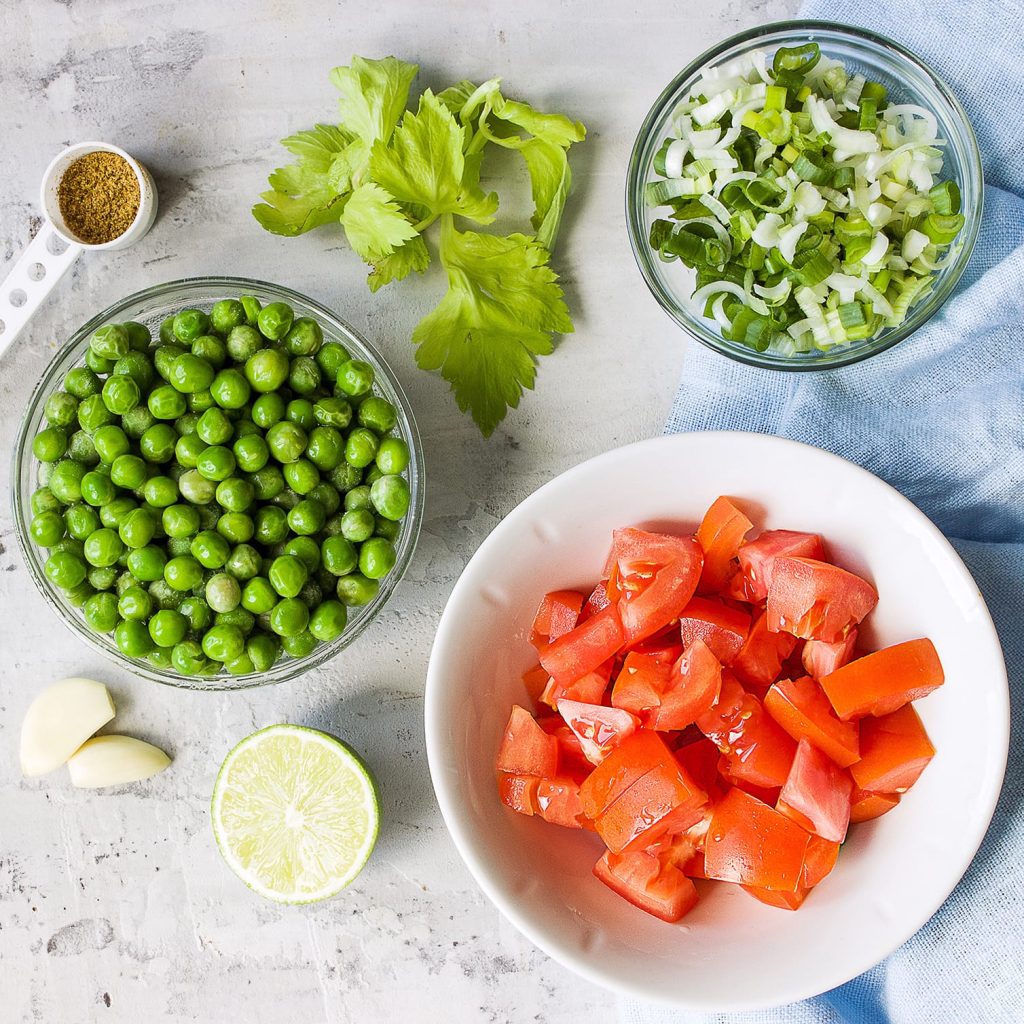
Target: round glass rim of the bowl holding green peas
[{"x": 283, "y": 670}]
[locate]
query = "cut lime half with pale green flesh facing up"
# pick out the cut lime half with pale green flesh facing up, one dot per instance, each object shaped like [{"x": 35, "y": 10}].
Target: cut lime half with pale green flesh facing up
[{"x": 295, "y": 814}]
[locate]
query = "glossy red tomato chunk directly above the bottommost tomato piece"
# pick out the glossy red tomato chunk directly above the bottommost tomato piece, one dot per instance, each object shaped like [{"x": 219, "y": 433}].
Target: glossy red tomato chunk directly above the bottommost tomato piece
[{"x": 663, "y": 801}]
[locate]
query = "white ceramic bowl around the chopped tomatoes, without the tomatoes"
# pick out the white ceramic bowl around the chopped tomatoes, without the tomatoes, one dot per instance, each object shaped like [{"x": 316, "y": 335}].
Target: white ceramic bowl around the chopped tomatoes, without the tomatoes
[{"x": 731, "y": 953}]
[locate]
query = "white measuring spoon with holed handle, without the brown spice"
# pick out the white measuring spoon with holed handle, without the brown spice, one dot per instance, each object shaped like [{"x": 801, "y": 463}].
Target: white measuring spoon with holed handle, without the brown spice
[{"x": 55, "y": 248}]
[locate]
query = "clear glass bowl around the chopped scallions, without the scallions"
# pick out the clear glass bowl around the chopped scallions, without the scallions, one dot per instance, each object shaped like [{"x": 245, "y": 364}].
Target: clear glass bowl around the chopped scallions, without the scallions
[{"x": 909, "y": 80}]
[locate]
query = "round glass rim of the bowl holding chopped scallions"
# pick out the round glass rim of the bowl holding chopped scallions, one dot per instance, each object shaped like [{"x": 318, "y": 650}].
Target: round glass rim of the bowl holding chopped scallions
[{"x": 636, "y": 176}]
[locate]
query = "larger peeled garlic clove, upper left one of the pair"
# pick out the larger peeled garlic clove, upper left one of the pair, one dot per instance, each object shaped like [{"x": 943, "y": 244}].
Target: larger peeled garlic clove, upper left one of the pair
[{"x": 60, "y": 720}]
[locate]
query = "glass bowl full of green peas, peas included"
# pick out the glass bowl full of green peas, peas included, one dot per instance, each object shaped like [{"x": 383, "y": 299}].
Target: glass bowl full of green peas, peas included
[{"x": 219, "y": 483}]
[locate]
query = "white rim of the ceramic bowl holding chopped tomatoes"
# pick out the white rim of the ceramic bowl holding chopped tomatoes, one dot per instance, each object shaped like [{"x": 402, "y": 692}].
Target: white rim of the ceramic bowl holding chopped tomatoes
[{"x": 463, "y": 836}]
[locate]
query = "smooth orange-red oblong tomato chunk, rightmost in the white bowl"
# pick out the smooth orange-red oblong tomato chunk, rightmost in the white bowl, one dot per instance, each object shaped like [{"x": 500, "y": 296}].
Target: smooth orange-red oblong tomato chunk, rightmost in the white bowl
[{"x": 880, "y": 684}]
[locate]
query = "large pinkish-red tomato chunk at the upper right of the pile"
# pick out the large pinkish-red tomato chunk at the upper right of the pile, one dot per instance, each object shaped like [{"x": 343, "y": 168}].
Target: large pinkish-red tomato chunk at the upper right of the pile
[{"x": 818, "y": 602}]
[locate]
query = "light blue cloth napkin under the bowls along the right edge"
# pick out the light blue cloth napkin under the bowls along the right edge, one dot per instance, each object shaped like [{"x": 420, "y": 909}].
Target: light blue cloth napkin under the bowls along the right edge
[{"x": 942, "y": 418}]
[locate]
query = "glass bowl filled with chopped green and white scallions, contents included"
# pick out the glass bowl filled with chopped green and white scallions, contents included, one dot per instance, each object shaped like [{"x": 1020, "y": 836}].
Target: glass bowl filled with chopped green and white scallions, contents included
[{"x": 804, "y": 195}]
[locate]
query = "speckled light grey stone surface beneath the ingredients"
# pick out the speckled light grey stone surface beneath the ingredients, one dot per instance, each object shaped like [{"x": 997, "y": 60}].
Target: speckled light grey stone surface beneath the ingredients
[{"x": 115, "y": 906}]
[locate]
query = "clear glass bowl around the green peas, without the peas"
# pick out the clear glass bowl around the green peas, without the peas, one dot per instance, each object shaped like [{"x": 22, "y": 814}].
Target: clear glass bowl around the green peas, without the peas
[{"x": 151, "y": 307}]
